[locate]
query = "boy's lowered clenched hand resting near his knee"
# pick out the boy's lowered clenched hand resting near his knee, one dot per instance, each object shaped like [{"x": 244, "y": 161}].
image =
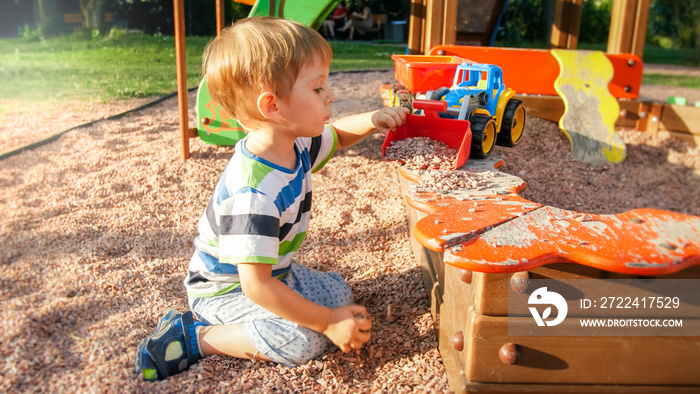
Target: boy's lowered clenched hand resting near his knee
[{"x": 348, "y": 327}]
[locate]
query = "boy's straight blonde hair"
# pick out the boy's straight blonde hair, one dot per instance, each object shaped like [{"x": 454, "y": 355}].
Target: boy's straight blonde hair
[{"x": 255, "y": 55}]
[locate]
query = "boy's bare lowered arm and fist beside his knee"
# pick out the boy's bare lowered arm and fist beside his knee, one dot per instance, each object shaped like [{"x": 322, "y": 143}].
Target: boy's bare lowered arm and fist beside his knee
[{"x": 340, "y": 325}]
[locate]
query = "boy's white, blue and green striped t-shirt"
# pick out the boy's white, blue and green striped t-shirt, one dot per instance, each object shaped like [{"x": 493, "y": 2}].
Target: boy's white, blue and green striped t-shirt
[{"x": 259, "y": 213}]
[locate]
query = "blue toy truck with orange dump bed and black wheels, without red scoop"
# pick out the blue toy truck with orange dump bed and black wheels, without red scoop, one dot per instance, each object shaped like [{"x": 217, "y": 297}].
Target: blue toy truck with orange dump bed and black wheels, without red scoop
[{"x": 477, "y": 94}]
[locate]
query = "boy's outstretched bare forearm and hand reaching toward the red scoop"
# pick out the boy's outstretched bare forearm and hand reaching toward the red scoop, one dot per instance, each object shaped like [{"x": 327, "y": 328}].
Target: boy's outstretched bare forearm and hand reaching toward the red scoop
[{"x": 352, "y": 129}]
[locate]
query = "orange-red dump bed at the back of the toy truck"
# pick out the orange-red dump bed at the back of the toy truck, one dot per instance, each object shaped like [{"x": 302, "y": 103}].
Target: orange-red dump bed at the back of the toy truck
[{"x": 422, "y": 73}]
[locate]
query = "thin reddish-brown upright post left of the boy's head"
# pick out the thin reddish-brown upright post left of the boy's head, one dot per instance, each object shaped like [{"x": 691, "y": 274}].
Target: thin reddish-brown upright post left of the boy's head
[{"x": 181, "y": 67}]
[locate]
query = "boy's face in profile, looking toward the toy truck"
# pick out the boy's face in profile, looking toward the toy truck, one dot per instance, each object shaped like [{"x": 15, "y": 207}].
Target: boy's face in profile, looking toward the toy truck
[{"x": 308, "y": 107}]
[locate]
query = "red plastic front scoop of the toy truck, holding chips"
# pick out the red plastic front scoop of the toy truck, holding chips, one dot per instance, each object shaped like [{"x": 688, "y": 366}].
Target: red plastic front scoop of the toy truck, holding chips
[{"x": 454, "y": 133}]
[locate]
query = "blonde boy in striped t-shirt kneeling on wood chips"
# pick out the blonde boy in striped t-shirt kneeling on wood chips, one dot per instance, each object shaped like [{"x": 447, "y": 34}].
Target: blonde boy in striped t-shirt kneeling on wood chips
[{"x": 250, "y": 299}]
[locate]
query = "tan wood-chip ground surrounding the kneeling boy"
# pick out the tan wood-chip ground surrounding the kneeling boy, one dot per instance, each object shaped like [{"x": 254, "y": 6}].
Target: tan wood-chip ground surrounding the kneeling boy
[{"x": 96, "y": 232}]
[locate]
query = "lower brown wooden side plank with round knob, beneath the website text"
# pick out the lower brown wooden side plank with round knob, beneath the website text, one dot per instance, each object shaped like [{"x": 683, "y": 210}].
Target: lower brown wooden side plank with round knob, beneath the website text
[{"x": 579, "y": 360}]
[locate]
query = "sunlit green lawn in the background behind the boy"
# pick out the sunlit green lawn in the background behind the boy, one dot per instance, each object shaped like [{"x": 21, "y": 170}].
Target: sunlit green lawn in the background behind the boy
[{"x": 127, "y": 66}]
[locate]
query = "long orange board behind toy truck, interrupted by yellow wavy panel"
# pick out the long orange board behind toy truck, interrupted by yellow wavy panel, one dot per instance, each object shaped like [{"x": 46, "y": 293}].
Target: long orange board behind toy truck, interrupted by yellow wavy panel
[{"x": 533, "y": 71}]
